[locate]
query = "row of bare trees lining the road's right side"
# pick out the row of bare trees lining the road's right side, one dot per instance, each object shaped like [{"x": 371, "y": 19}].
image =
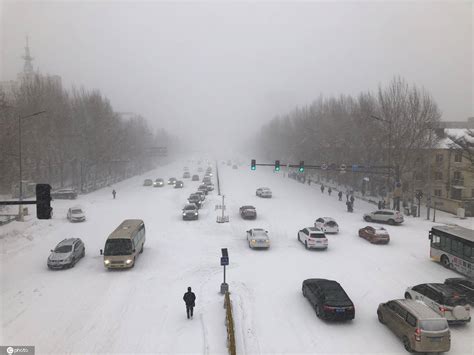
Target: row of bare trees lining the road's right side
[{"x": 392, "y": 126}]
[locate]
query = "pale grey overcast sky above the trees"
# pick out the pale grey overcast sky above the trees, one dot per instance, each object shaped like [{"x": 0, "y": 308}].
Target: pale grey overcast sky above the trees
[{"x": 224, "y": 68}]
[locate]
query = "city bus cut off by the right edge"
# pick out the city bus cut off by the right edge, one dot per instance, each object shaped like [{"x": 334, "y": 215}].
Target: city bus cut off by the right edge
[{"x": 453, "y": 247}]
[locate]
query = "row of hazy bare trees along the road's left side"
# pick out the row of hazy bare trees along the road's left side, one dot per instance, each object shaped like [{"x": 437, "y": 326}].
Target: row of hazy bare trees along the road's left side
[{"x": 79, "y": 141}]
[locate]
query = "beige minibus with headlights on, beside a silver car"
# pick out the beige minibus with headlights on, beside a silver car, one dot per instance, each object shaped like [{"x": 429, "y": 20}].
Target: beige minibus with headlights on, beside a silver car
[{"x": 124, "y": 244}]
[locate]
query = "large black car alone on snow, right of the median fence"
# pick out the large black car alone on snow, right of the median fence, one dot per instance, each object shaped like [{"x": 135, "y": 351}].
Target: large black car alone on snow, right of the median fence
[{"x": 328, "y": 299}]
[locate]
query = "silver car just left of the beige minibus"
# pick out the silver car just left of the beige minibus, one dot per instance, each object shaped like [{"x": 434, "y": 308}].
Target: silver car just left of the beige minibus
[{"x": 66, "y": 254}]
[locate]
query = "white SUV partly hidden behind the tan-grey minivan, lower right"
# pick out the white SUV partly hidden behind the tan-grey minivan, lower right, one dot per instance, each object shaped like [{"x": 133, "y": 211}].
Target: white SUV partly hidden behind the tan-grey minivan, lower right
[{"x": 443, "y": 299}]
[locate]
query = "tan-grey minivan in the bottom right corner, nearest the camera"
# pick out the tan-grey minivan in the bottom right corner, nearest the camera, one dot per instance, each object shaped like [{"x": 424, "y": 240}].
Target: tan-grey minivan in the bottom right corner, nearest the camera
[{"x": 419, "y": 327}]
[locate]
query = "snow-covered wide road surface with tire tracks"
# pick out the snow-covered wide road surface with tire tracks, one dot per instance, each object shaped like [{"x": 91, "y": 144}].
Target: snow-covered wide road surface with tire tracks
[{"x": 88, "y": 309}]
